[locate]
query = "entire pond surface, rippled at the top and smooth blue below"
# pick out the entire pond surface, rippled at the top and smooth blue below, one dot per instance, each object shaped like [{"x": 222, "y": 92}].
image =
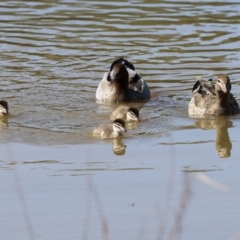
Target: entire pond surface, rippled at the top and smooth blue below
[{"x": 59, "y": 183}]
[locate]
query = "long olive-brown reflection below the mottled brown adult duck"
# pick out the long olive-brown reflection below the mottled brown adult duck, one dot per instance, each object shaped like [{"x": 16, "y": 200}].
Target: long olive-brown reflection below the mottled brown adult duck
[{"x": 221, "y": 124}]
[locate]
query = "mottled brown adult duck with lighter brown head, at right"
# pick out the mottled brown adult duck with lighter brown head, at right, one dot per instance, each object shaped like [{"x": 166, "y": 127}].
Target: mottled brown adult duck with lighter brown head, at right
[{"x": 210, "y": 99}]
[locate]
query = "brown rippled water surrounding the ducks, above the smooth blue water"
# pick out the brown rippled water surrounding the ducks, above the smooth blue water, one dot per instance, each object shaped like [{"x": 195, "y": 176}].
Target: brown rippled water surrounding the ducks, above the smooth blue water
[{"x": 53, "y": 56}]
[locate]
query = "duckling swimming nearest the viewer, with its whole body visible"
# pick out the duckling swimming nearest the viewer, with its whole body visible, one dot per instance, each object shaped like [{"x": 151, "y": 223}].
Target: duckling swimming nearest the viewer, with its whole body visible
[{"x": 107, "y": 131}]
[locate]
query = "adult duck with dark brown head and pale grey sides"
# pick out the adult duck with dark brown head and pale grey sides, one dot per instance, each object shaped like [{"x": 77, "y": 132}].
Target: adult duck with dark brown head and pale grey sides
[{"x": 122, "y": 83}]
